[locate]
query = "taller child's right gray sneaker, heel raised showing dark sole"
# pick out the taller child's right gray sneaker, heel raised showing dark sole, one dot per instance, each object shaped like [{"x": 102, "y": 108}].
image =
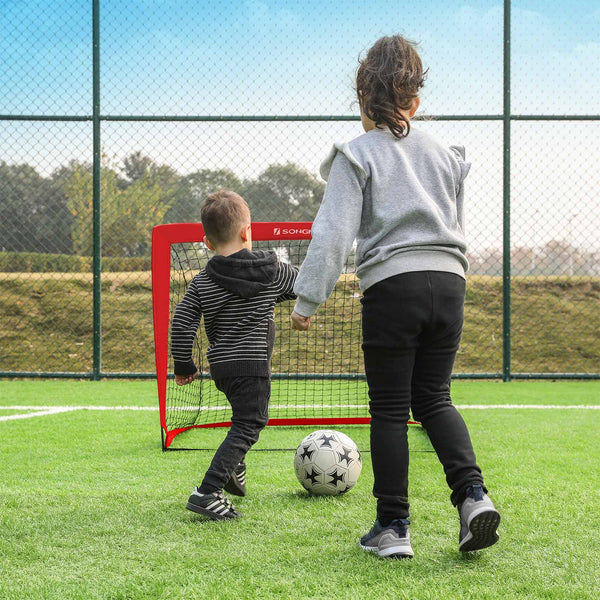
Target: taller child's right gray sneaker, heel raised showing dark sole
[{"x": 478, "y": 521}]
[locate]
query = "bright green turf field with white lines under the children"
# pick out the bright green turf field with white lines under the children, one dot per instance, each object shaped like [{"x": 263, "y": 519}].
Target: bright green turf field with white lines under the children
[{"x": 90, "y": 508}]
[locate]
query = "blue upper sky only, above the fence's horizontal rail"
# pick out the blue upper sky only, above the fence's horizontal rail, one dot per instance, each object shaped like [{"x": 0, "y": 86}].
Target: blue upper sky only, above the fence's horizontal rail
[{"x": 269, "y": 57}]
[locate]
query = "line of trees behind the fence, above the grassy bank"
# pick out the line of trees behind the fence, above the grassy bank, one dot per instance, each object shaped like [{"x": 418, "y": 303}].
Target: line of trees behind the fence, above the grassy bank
[{"x": 54, "y": 214}]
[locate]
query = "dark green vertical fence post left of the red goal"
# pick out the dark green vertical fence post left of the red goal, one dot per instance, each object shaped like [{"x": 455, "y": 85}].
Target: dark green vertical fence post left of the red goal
[{"x": 97, "y": 245}]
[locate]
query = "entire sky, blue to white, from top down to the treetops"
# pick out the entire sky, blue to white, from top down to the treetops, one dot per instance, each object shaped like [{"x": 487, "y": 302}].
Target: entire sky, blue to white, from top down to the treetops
[{"x": 184, "y": 57}]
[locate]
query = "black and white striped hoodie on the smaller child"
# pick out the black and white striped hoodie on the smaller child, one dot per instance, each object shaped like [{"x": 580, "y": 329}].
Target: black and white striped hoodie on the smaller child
[{"x": 237, "y": 296}]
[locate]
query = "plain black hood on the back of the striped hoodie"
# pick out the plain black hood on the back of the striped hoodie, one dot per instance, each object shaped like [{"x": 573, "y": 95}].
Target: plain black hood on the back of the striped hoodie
[{"x": 244, "y": 273}]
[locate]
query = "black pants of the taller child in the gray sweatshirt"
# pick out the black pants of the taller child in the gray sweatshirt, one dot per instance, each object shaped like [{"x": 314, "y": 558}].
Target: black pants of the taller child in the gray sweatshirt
[{"x": 412, "y": 325}]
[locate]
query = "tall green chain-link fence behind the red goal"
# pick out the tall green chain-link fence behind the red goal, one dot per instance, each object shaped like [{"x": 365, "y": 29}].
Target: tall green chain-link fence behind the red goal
[{"x": 115, "y": 117}]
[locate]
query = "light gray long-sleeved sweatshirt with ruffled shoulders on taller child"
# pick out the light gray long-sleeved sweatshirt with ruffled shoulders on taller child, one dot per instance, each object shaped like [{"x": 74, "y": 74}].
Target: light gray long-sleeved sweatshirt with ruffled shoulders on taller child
[{"x": 400, "y": 199}]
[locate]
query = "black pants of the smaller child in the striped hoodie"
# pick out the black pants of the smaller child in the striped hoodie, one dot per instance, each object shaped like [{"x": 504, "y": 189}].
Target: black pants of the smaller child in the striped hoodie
[{"x": 249, "y": 399}]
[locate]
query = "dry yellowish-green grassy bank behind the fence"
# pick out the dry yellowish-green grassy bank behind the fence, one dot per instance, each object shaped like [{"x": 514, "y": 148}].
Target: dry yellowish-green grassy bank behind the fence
[{"x": 47, "y": 318}]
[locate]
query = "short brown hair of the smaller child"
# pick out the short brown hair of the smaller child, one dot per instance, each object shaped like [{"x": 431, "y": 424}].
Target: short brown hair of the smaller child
[{"x": 222, "y": 214}]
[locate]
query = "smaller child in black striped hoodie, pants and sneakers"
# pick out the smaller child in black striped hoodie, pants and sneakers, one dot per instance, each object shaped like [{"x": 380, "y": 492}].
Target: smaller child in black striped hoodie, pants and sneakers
[{"x": 236, "y": 292}]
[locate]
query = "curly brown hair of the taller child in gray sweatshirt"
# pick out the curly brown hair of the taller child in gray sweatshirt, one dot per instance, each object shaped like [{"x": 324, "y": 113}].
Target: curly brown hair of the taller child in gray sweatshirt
[{"x": 387, "y": 81}]
